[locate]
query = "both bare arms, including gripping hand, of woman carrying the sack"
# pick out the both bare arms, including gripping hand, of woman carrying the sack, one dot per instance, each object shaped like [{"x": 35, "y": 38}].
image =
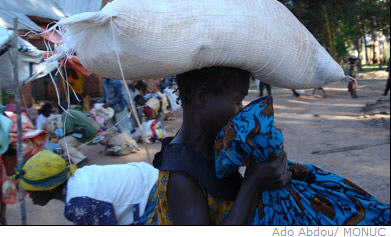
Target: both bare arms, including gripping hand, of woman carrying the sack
[{"x": 188, "y": 204}]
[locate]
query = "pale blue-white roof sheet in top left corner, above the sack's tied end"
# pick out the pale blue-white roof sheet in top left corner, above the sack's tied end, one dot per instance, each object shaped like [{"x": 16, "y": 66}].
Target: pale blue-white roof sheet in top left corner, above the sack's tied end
[{"x": 52, "y": 9}]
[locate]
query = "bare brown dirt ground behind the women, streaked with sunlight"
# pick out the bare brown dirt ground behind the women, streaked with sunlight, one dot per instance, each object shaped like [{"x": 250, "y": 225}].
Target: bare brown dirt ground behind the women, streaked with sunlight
[{"x": 346, "y": 136}]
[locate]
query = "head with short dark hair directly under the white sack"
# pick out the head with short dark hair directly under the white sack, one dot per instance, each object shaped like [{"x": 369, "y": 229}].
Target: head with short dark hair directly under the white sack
[{"x": 214, "y": 93}]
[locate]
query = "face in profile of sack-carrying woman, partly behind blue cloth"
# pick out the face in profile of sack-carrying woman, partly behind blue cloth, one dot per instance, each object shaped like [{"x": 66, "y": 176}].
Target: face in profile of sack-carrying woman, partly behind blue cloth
[{"x": 221, "y": 107}]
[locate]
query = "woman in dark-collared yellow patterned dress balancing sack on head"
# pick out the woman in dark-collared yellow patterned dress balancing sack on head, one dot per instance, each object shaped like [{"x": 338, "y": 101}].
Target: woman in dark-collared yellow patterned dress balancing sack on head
[{"x": 189, "y": 192}]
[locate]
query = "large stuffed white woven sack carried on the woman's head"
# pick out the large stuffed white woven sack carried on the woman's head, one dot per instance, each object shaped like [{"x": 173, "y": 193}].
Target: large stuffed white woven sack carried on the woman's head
[{"x": 156, "y": 38}]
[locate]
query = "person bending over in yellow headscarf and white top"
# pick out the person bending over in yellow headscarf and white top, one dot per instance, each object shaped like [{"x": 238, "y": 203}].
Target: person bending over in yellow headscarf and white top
[{"x": 120, "y": 194}]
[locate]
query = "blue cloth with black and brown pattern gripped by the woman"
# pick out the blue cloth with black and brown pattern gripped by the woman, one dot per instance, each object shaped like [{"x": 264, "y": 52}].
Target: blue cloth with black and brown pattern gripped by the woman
[{"x": 313, "y": 197}]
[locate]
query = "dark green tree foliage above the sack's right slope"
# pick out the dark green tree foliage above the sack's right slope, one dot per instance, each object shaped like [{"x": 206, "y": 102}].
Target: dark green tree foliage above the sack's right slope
[{"x": 339, "y": 25}]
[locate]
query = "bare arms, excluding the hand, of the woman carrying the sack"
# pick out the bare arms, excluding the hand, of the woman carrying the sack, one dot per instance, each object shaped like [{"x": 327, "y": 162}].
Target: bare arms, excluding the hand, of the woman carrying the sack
[{"x": 188, "y": 204}]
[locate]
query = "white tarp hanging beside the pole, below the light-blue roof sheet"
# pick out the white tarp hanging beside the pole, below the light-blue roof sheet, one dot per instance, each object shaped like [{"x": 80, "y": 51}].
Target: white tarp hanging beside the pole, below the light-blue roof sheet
[{"x": 30, "y": 61}]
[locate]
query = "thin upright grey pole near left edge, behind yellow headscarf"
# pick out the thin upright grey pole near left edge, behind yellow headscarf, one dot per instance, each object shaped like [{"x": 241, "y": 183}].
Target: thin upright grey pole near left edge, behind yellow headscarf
[{"x": 19, "y": 116}]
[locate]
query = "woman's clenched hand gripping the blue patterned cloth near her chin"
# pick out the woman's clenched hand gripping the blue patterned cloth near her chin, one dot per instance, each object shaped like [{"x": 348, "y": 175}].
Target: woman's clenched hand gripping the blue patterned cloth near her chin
[{"x": 268, "y": 175}]
